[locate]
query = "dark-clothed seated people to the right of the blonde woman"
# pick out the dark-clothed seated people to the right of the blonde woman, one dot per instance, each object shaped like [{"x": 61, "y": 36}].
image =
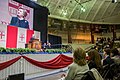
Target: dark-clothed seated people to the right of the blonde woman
[{"x": 108, "y": 64}]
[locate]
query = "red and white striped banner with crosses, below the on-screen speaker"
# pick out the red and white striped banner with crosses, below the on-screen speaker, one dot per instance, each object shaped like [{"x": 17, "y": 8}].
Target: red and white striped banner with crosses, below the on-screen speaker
[{"x": 15, "y": 37}]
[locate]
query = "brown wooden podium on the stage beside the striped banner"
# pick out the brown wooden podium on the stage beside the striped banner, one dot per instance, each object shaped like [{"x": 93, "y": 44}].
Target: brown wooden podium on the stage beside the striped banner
[{"x": 35, "y": 44}]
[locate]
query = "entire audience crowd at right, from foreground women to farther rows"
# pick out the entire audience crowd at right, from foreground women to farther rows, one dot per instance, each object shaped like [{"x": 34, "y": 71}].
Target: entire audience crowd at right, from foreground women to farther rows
[{"x": 107, "y": 64}]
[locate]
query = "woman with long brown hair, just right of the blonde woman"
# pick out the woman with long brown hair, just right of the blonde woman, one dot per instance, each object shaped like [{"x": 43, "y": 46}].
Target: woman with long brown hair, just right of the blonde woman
[{"x": 94, "y": 59}]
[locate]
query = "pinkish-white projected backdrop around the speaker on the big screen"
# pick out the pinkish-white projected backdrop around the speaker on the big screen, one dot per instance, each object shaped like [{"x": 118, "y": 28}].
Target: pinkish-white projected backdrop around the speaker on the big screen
[{"x": 9, "y": 8}]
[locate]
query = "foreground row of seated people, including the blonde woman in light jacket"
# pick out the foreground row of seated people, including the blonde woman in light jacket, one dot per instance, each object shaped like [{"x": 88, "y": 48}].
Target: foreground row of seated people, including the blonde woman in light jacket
[{"x": 94, "y": 65}]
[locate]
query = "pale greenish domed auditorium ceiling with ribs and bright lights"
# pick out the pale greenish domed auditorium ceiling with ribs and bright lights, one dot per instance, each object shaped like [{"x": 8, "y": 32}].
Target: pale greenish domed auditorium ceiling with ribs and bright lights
[{"x": 88, "y": 11}]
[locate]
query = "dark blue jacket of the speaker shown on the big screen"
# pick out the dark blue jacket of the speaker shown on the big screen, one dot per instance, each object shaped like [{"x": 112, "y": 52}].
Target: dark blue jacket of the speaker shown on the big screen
[{"x": 19, "y": 23}]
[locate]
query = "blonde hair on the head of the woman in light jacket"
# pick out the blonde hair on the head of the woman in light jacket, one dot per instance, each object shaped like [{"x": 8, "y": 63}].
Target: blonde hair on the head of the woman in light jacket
[{"x": 79, "y": 57}]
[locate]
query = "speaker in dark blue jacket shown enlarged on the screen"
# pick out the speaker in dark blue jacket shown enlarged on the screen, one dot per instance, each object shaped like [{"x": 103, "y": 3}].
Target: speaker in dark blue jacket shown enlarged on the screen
[{"x": 20, "y": 21}]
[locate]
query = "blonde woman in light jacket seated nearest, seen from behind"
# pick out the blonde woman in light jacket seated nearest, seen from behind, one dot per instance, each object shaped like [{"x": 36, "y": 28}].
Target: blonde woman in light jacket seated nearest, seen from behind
[{"x": 79, "y": 66}]
